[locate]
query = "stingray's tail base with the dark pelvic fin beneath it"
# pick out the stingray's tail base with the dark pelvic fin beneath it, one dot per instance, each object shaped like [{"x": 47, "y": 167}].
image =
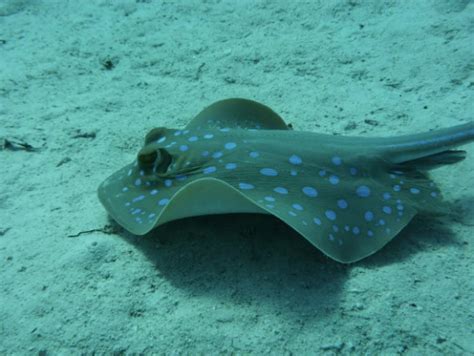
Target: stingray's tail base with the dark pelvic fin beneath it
[{"x": 429, "y": 150}]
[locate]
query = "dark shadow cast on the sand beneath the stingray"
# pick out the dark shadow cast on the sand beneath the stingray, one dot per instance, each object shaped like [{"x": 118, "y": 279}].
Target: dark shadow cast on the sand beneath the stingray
[{"x": 252, "y": 257}]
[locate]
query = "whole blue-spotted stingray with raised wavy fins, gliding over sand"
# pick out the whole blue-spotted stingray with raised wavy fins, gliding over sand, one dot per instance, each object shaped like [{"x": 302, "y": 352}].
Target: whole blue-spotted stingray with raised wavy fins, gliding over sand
[{"x": 348, "y": 196}]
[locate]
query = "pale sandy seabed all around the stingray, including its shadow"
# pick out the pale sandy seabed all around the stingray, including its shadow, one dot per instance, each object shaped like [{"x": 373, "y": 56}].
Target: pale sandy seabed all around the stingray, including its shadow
[{"x": 83, "y": 81}]
